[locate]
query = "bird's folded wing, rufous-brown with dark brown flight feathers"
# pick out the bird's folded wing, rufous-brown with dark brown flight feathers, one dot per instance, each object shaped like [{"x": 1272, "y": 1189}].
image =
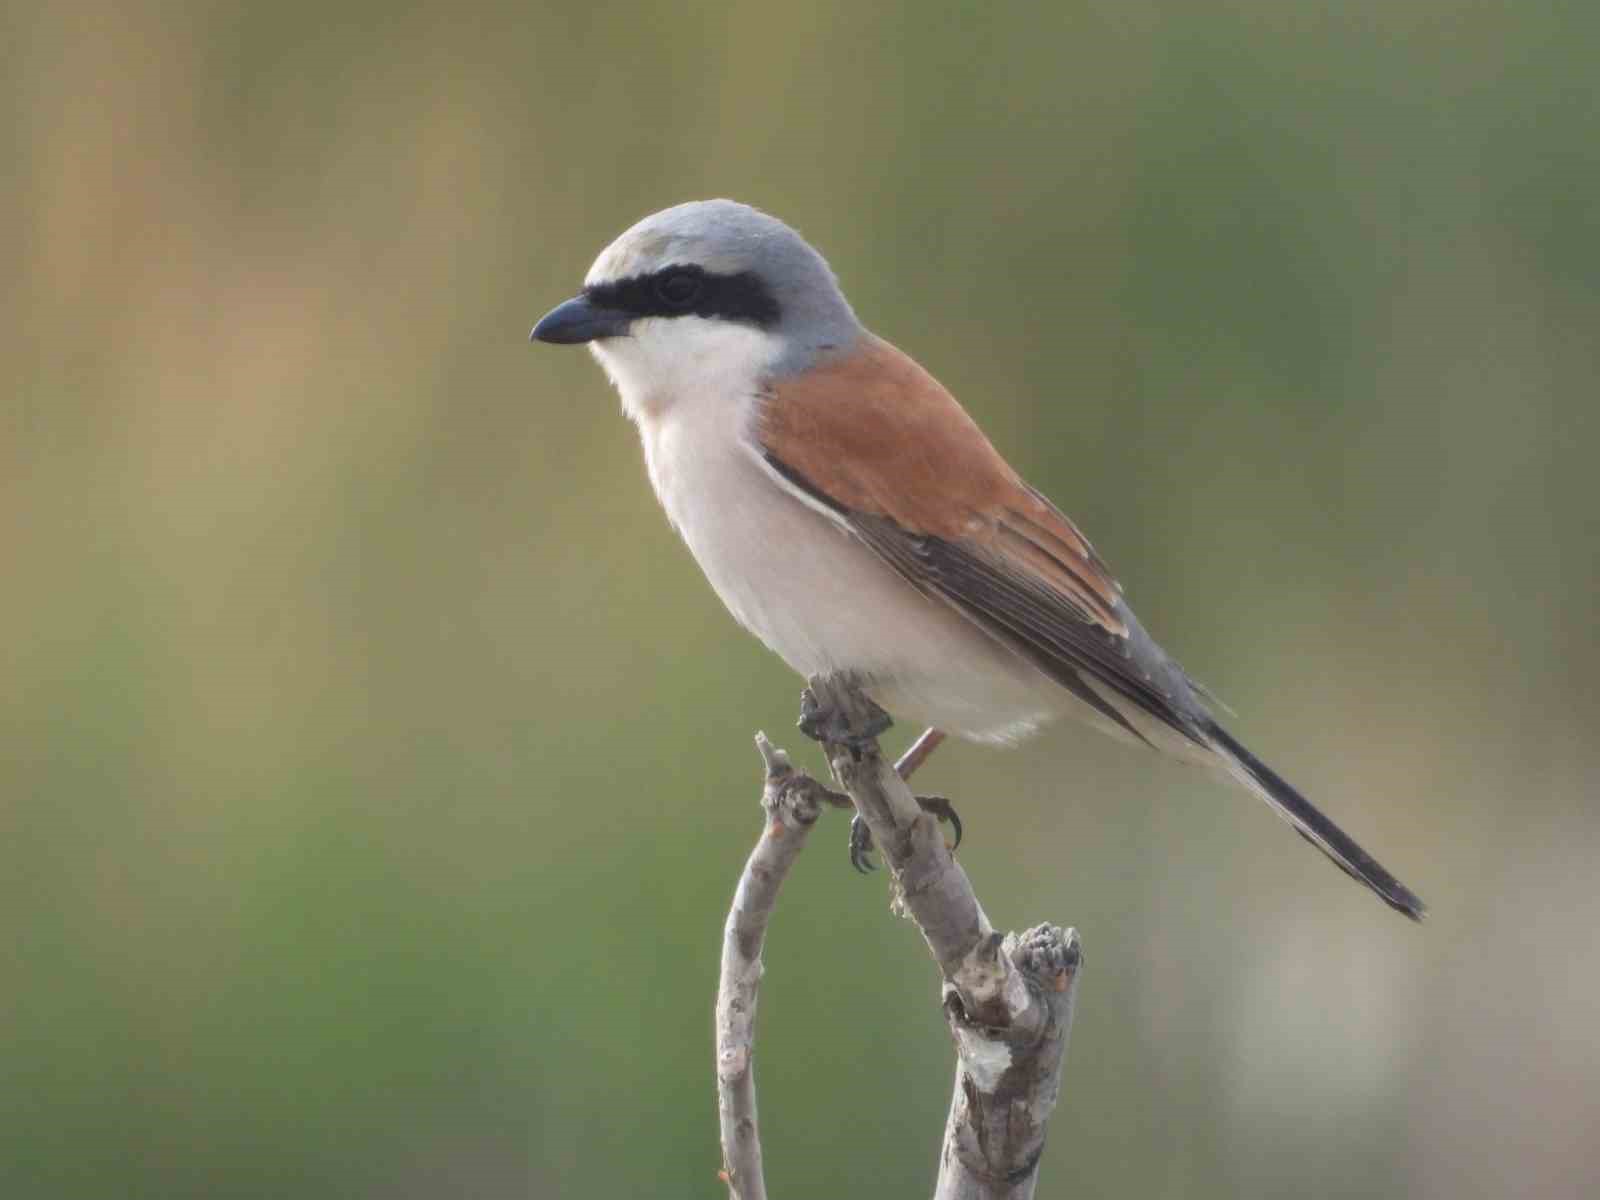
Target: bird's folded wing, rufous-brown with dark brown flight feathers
[{"x": 884, "y": 447}]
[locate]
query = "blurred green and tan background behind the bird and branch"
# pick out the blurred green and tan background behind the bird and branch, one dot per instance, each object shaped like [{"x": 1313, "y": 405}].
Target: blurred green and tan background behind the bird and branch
[{"x": 375, "y": 766}]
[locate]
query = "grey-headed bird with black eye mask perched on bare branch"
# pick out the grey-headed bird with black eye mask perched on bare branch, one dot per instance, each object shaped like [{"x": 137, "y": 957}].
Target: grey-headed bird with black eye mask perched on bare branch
[{"x": 855, "y": 519}]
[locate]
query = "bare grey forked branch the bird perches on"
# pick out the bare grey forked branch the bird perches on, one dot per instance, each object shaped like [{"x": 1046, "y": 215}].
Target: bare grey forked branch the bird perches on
[{"x": 1009, "y": 999}]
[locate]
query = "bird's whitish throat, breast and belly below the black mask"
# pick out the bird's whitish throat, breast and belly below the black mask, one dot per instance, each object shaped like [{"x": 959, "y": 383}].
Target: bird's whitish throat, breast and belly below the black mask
[{"x": 791, "y": 575}]
